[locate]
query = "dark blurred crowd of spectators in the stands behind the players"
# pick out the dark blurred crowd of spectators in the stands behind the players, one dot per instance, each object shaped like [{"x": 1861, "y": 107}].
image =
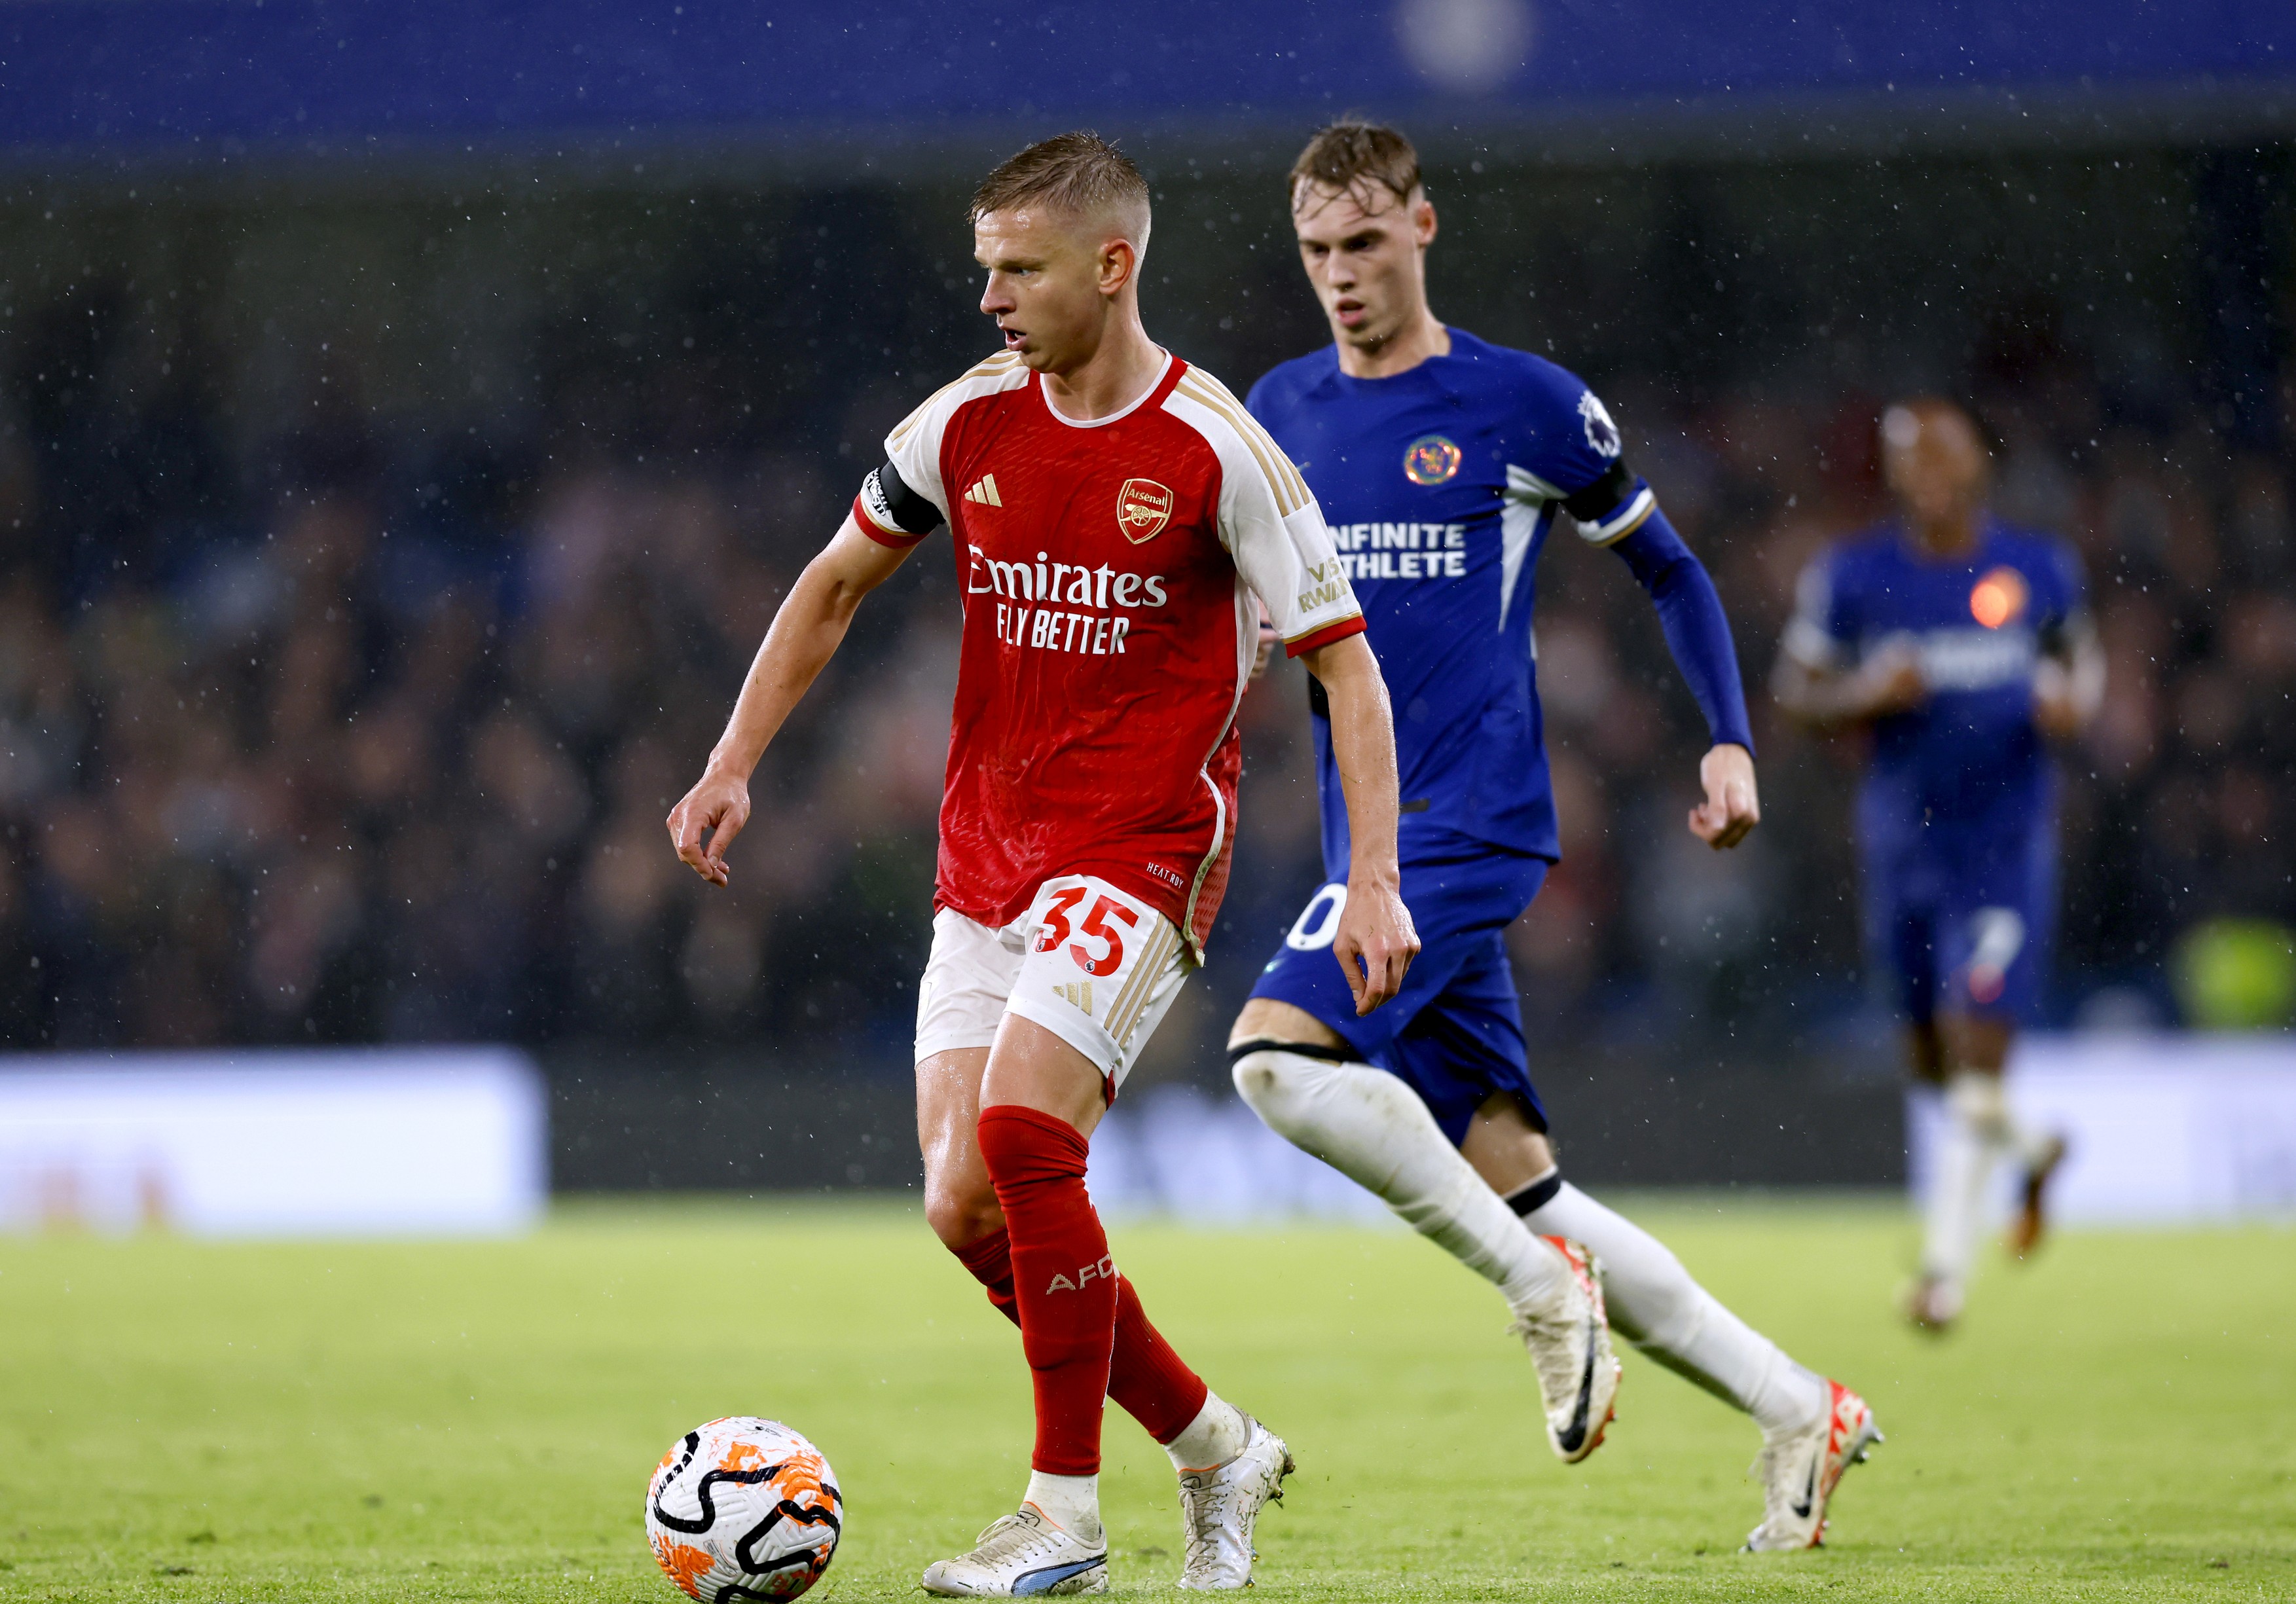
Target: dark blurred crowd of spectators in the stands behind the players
[{"x": 364, "y": 729}]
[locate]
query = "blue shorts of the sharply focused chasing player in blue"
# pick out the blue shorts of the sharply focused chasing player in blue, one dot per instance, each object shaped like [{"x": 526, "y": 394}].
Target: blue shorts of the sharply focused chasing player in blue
[{"x": 1455, "y": 1034}]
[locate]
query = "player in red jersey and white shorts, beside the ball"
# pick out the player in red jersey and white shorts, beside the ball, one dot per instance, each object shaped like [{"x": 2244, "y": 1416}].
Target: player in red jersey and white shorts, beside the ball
[{"x": 1117, "y": 524}]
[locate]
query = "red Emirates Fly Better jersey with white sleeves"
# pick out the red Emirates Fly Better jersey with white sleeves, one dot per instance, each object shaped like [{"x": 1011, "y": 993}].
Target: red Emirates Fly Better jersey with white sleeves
[{"x": 1108, "y": 575}]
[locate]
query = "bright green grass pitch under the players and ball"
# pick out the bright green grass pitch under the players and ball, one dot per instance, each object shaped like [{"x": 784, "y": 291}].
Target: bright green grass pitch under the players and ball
[{"x": 476, "y": 1422}]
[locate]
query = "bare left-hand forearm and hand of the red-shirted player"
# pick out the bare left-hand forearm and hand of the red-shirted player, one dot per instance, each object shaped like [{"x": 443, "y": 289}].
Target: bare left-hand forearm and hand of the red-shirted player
[{"x": 800, "y": 644}]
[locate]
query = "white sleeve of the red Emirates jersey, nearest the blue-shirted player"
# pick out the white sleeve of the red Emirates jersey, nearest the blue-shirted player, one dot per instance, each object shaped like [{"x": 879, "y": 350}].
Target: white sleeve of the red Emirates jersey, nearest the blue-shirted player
[{"x": 1269, "y": 520}]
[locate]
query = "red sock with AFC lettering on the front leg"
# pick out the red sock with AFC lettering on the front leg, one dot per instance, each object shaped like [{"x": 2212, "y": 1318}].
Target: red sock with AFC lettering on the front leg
[{"x": 1062, "y": 1275}]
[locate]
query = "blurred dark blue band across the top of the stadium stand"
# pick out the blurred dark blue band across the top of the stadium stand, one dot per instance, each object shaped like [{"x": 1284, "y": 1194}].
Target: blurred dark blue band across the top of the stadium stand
[{"x": 219, "y": 81}]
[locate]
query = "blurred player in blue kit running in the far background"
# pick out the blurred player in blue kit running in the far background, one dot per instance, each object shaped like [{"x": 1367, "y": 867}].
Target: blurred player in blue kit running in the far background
[{"x": 1962, "y": 648}]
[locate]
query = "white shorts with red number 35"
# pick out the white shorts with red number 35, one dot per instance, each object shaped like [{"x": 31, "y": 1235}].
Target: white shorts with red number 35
[{"x": 1089, "y": 963}]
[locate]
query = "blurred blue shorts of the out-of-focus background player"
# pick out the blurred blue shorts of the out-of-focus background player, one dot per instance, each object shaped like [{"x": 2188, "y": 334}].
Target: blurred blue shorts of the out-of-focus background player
[{"x": 1967, "y": 921}]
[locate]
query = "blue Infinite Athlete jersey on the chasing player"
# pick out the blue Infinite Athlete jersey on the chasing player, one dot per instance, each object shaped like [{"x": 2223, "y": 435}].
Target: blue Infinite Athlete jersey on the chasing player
[{"x": 1441, "y": 488}]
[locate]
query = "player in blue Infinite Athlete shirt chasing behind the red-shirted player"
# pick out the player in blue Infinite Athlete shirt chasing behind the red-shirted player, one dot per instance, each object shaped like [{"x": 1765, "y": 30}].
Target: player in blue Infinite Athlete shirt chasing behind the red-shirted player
[{"x": 1445, "y": 465}]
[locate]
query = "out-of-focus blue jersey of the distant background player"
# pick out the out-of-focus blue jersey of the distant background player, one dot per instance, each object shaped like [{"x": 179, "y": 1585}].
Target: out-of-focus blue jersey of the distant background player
[{"x": 1971, "y": 756}]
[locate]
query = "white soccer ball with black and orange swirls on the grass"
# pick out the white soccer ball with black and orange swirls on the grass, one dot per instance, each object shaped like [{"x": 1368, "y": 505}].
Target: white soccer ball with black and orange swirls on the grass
[{"x": 743, "y": 1509}]
